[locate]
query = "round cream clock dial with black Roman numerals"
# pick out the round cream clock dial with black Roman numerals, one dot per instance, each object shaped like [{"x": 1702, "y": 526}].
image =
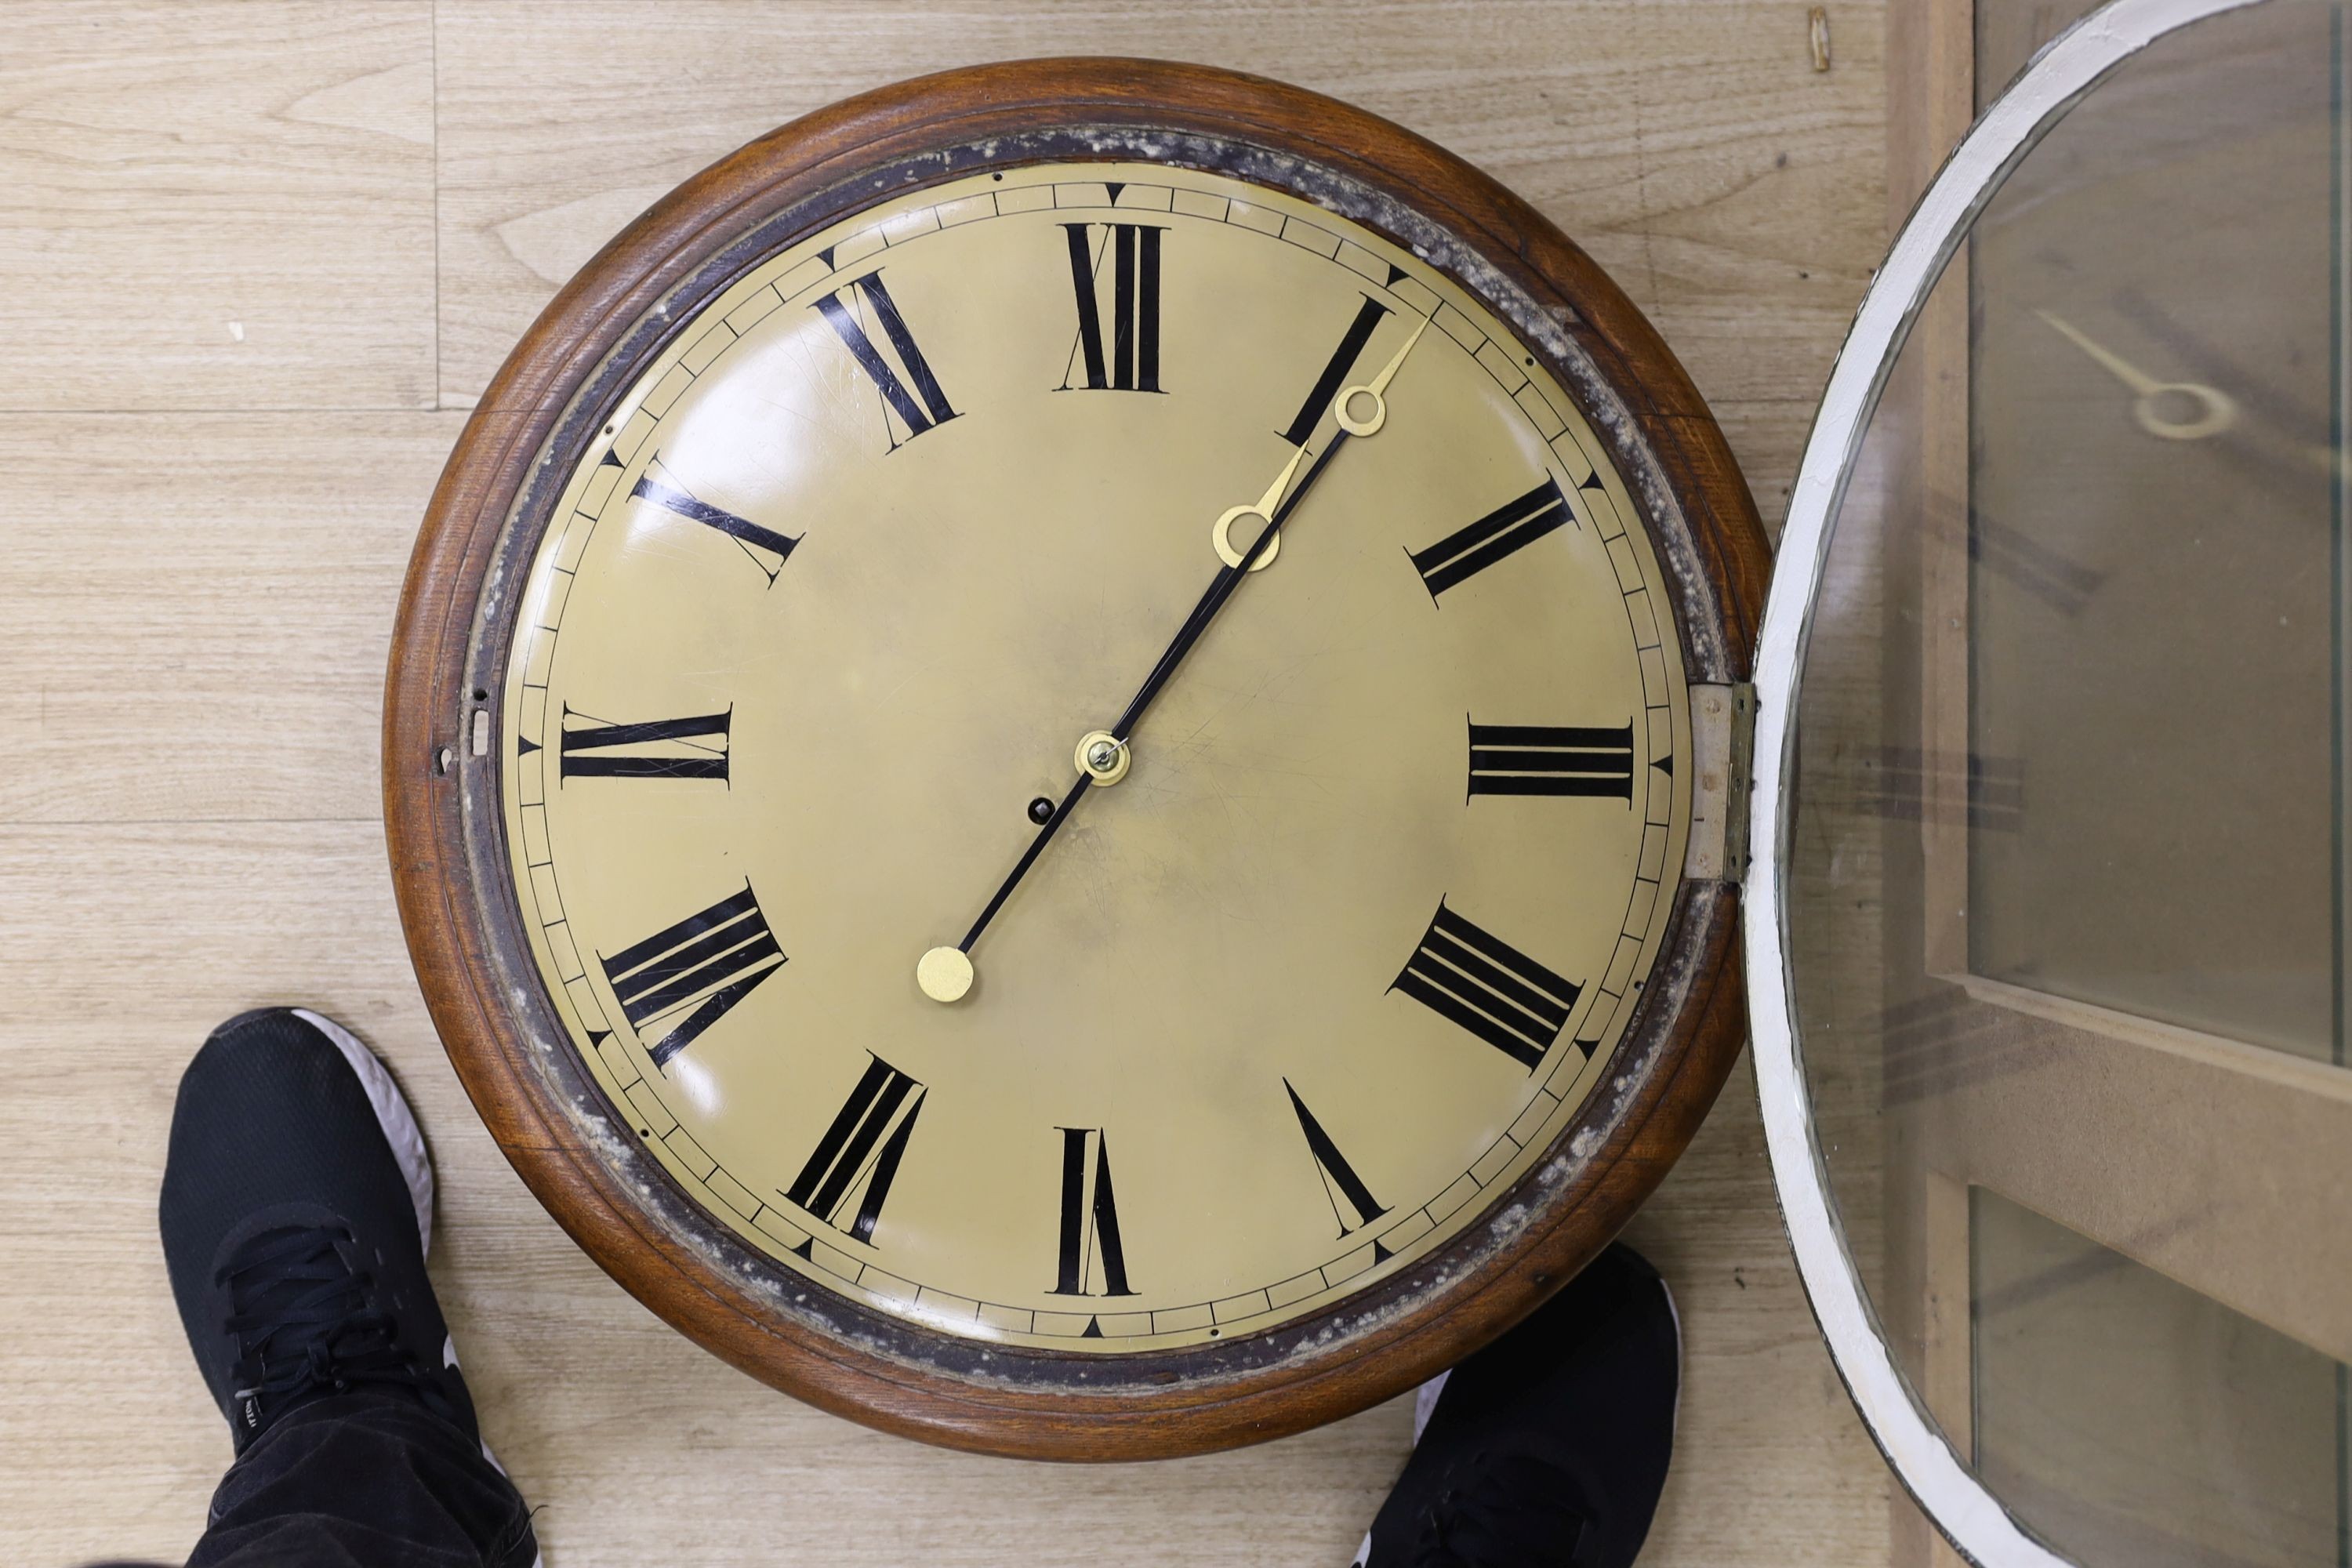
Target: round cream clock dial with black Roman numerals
[{"x": 820, "y": 631}]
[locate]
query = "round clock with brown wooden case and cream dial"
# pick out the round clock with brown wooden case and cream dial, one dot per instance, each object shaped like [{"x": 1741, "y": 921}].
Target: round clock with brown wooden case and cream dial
[{"x": 606, "y": 1045}]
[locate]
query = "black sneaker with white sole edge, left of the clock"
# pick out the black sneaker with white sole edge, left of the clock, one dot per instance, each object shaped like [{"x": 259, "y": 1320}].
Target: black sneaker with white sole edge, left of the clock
[{"x": 298, "y": 1207}]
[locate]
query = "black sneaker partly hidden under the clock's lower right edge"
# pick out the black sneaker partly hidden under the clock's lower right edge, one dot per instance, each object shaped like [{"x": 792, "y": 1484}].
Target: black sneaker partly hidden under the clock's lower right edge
[{"x": 1546, "y": 1449}]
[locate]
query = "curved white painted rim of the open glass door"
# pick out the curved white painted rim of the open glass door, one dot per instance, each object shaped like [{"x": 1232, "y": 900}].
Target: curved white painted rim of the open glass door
[{"x": 2003, "y": 138}]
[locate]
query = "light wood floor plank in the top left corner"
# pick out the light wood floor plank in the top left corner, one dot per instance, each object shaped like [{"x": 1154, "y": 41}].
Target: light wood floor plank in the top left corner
[{"x": 218, "y": 206}]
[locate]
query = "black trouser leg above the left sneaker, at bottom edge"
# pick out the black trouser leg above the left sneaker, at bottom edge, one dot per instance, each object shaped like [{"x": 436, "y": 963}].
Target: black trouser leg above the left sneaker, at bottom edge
[{"x": 366, "y": 1482}]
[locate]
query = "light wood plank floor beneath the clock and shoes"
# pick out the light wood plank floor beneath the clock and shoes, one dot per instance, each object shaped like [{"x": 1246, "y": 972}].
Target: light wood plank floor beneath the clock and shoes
[{"x": 255, "y": 262}]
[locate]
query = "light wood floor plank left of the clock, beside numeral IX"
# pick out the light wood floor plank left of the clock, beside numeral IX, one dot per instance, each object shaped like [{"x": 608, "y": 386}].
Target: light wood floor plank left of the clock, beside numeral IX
[{"x": 201, "y": 608}]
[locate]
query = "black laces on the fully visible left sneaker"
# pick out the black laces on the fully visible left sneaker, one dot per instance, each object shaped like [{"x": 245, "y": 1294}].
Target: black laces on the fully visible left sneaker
[{"x": 307, "y": 1322}]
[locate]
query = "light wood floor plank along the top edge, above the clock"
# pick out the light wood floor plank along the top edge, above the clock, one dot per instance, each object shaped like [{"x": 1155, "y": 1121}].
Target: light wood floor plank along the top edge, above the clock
[{"x": 1688, "y": 145}]
